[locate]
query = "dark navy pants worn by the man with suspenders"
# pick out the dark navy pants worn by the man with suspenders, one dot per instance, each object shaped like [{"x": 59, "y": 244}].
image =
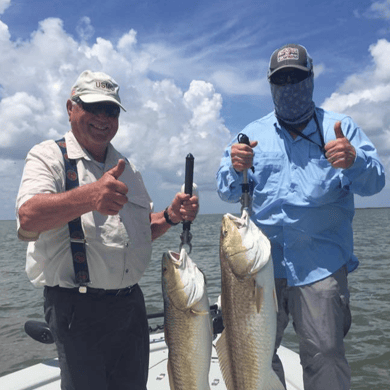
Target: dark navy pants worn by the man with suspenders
[{"x": 102, "y": 341}]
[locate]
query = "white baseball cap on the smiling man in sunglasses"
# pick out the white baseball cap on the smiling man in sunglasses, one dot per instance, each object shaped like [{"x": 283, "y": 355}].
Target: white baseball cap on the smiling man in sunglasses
[{"x": 93, "y": 87}]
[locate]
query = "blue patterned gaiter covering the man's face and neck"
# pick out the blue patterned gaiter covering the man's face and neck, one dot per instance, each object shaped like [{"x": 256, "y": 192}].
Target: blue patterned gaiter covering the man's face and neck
[{"x": 294, "y": 102}]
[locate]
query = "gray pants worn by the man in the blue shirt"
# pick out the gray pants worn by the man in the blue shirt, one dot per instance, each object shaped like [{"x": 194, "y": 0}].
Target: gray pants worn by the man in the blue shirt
[{"x": 321, "y": 319}]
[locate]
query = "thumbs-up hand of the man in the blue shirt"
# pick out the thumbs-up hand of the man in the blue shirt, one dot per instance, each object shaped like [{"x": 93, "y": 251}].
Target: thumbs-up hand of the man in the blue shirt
[{"x": 339, "y": 152}]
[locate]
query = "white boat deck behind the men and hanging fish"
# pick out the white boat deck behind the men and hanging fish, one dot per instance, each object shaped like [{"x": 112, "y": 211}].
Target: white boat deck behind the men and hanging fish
[{"x": 46, "y": 376}]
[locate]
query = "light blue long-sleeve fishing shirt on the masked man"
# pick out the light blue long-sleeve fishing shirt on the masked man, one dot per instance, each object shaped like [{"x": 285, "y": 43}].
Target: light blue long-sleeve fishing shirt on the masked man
[{"x": 303, "y": 204}]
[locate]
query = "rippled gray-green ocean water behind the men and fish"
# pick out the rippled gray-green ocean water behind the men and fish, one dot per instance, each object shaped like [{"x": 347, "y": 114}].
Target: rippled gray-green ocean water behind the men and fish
[{"x": 367, "y": 343}]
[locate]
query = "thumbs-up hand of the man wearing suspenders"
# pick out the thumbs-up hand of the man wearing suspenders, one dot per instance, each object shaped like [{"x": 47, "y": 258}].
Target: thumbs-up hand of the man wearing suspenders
[{"x": 109, "y": 192}]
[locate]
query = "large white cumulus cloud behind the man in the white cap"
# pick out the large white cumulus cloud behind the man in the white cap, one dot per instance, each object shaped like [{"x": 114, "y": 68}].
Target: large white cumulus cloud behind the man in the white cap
[{"x": 163, "y": 122}]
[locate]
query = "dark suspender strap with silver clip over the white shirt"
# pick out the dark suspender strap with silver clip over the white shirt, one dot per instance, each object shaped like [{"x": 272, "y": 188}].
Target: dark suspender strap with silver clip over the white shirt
[{"x": 77, "y": 240}]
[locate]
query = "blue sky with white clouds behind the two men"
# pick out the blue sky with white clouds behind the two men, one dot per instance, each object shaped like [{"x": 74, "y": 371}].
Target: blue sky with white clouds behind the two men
[{"x": 192, "y": 75}]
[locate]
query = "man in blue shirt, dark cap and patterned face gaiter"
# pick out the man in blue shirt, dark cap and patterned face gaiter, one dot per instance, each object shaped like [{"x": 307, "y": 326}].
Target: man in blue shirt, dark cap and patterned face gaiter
[{"x": 308, "y": 164}]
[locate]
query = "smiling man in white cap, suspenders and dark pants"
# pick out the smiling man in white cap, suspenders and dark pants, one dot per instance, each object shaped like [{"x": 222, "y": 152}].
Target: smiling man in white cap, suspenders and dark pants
[{"x": 86, "y": 213}]
